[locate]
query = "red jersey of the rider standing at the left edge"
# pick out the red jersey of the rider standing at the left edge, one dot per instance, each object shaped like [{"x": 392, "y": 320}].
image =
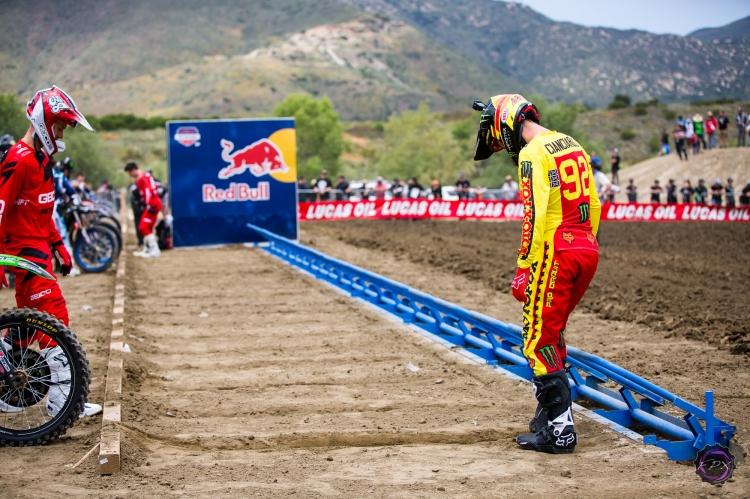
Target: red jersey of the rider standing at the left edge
[{"x": 27, "y": 195}]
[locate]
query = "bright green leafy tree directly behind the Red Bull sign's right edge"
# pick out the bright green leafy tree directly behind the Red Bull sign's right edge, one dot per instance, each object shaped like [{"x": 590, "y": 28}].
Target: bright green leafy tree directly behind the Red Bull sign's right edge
[{"x": 319, "y": 133}]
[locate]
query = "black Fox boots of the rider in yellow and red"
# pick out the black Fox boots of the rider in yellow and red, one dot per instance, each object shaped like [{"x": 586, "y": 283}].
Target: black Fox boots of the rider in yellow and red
[{"x": 559, "y": 435}]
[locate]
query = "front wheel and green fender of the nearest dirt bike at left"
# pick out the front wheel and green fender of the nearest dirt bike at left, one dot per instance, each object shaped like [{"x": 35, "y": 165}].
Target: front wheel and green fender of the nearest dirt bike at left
[{"x": 44, "y": 374}]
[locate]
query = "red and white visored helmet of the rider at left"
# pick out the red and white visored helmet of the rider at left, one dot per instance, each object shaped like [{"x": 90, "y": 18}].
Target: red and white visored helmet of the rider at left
[{"x": 48, "y": 107}]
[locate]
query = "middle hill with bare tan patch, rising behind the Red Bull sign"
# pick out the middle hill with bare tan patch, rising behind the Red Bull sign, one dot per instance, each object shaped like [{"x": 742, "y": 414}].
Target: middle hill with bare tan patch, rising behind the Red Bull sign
[{"x": 368, "y": 67}]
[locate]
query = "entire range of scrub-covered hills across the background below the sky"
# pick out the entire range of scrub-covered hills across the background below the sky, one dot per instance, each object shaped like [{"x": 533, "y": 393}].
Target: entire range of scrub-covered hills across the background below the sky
[{"x": 492, "y": 46}]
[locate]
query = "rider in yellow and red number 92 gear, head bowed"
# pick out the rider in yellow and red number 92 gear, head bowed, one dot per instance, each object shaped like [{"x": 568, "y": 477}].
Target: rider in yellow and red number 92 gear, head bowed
[{"x": 558, "y": 255}]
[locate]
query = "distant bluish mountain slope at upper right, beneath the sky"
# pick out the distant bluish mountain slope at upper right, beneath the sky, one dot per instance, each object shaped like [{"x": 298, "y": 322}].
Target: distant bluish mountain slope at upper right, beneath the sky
[{"x": 565, "y": 61}]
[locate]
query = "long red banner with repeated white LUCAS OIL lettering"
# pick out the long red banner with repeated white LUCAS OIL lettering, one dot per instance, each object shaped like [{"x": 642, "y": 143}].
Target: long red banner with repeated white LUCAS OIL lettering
[{"x": 508, "y": 210}]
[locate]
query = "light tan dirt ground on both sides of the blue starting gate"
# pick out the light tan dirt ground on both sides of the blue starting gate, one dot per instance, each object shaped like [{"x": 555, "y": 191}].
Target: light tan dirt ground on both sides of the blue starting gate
[{"x": 283, "y": 373}]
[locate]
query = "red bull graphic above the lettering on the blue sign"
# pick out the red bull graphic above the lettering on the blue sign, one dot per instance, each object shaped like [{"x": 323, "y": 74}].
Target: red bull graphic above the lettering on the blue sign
[{"x": 261, "y": 158}]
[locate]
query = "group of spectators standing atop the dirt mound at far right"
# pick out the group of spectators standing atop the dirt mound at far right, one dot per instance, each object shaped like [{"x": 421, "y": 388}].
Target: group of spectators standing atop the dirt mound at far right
[{"x": 696, "y": 133}]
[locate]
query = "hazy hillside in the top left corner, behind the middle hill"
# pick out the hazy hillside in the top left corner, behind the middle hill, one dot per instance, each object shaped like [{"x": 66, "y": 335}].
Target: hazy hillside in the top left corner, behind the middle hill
[{"x": 87, "y": 42}]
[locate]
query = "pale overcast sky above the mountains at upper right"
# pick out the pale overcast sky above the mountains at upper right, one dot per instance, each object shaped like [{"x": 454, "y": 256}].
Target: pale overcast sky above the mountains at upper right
[{"x": 657, "y": 16}]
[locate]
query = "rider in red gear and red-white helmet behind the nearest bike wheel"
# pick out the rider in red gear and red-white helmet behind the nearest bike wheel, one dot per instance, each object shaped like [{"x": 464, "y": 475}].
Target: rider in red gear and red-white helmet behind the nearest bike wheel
[{"x": 27, "y": 197}]
